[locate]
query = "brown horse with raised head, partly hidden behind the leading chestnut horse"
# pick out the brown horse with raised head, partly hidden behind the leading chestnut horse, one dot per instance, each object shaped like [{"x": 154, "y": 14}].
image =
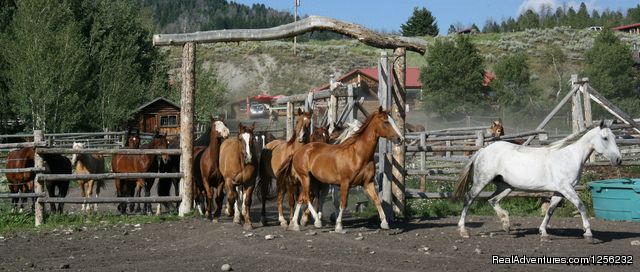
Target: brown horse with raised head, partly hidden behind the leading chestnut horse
[{"x": 271, "y": 158}]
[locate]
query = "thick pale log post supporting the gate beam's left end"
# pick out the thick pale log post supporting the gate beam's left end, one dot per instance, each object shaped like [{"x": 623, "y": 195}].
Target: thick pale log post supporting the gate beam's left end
[{"x": 186, "y": 127}]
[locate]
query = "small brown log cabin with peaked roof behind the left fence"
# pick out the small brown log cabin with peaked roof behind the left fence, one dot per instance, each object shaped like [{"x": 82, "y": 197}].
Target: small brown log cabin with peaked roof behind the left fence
[{"x": 159, "y": 113}]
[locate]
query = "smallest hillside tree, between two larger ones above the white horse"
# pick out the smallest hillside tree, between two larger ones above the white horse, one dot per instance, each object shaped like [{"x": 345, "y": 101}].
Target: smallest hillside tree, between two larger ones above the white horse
[{"x": 513, "y": 89}]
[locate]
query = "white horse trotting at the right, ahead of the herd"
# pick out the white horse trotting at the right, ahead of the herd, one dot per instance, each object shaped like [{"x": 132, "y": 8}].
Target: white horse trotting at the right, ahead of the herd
[{"x": 555, "y": 168}]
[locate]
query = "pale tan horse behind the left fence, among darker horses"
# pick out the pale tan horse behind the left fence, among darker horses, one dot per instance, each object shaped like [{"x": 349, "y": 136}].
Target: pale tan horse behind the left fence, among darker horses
[{"x": 88, "y": 164}]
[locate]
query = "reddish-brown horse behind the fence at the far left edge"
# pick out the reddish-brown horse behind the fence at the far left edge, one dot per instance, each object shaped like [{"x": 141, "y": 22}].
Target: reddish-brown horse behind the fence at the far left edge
[{"x": 20, "y": 182}]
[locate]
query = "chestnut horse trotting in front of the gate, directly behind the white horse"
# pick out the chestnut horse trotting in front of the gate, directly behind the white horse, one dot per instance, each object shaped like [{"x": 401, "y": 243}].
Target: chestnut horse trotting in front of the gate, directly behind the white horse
[{"x": 348, "y": 164}]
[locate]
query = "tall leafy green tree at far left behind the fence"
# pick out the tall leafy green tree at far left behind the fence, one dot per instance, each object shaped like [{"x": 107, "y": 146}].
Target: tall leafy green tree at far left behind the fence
[{"x": 48, "y": 60}]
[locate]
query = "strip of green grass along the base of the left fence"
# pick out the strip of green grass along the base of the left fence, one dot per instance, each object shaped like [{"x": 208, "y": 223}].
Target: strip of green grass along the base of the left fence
[{"x": 12, "y": 222}]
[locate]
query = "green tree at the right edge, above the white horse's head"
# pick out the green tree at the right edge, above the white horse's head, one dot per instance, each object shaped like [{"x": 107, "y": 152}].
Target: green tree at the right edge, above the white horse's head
[{"x": 610, "y": 68}]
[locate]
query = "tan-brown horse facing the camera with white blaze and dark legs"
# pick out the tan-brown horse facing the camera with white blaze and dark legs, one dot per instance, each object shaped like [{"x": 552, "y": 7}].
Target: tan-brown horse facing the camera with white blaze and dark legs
[{"x": 238, "y": 165}]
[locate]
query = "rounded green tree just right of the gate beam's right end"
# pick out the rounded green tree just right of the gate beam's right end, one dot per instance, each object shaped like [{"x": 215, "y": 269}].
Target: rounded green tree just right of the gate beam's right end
[{"x": 453, "y": 88}]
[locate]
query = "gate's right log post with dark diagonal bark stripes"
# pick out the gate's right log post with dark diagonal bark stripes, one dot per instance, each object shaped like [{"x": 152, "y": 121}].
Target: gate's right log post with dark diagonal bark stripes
[{"x": 398, "y": 114}]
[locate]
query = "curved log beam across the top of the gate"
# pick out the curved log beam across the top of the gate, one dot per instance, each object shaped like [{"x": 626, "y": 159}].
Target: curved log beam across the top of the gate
[{"x": 309, "y": 24}]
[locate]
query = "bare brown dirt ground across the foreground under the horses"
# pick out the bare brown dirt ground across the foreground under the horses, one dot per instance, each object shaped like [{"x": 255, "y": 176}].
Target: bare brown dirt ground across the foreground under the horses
[{"x": 416, "y": 245}]
